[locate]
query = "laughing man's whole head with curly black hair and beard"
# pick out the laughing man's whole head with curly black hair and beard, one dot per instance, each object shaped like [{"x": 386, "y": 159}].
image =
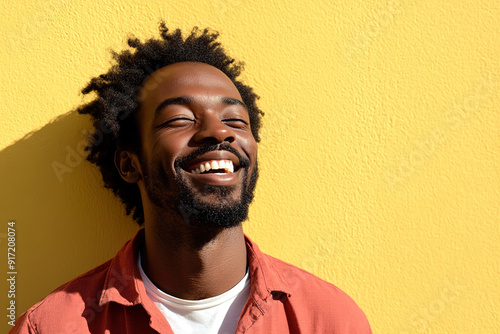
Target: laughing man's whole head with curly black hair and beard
[{"x": 166, "y": 108}]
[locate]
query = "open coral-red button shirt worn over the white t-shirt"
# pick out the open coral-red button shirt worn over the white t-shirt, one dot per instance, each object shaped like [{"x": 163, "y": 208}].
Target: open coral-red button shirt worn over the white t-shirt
[{"x": 112, "y": 299}]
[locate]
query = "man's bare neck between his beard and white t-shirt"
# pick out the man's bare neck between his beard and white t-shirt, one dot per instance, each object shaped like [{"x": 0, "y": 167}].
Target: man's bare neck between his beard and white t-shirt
[{"x": 193, "y": 263}]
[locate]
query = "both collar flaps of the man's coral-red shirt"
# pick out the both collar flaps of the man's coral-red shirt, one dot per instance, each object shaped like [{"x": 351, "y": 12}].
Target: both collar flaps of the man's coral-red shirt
[{"x": 123, "y": 283}]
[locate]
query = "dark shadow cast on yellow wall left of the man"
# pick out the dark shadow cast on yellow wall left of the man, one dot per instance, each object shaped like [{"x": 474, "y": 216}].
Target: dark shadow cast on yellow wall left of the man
[{"x": 66, "y": 222}]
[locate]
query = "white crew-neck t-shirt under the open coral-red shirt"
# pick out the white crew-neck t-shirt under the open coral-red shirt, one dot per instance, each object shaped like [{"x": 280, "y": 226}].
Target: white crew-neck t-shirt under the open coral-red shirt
[{"x": 217, "y": 314}]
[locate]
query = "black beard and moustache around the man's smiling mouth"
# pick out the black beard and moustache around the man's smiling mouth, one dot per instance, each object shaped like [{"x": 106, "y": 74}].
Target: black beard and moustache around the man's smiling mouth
[{"x": 193, "y": 210}]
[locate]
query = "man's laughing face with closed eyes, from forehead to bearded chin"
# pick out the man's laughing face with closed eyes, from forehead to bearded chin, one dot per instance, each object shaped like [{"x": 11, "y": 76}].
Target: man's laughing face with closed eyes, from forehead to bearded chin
[{"x": 198, "y": 154}]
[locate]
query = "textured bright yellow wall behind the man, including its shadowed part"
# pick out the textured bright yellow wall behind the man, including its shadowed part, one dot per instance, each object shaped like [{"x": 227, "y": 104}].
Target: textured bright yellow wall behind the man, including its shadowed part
[{"x": 380, "y": 153}]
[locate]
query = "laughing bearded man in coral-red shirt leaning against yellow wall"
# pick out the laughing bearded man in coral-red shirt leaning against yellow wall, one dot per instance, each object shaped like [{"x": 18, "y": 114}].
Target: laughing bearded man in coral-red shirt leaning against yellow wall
[{"x": 176, "y": 139}]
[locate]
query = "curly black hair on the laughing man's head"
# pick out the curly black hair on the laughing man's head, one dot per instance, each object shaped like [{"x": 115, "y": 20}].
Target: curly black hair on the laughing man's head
[{"x": 117, "y": 99}]
